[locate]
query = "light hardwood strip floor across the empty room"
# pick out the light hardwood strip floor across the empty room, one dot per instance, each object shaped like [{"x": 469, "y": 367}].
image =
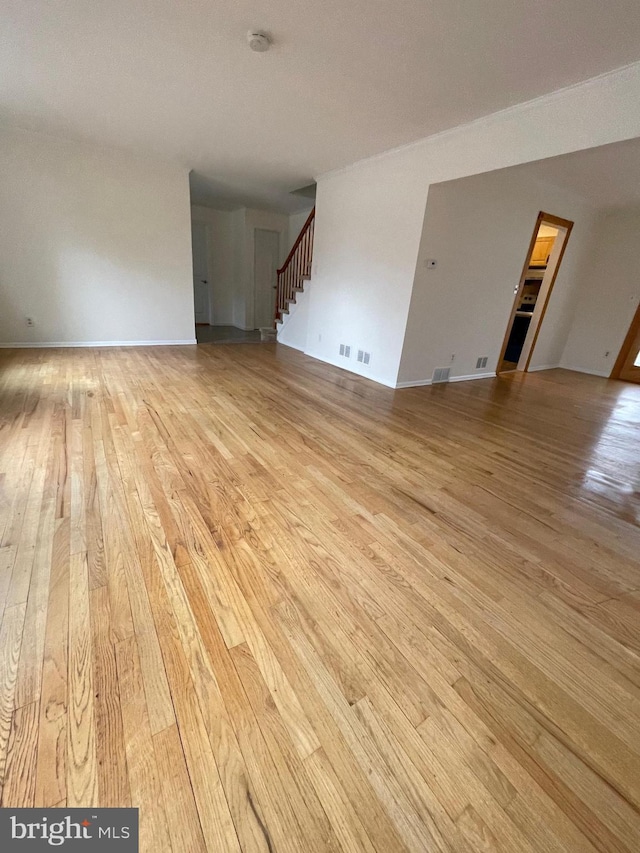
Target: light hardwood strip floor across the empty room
[{"x": 281, "y": 608}]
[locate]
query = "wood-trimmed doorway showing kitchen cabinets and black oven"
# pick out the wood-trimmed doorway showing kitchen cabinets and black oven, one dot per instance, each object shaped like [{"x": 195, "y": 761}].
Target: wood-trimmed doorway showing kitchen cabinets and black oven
[{"x": 546, "y": 250}]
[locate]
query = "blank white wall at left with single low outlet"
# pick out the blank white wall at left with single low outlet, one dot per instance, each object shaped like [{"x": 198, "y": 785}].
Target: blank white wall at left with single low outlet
[{"x": 95, "y": 244}]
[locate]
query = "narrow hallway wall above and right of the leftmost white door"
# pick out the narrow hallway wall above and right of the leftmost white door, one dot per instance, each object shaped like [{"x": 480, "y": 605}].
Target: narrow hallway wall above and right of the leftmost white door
[{"x": 220, "y": 235}]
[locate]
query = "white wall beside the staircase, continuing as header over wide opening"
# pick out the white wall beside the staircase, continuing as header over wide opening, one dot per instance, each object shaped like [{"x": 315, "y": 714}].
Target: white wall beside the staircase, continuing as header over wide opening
[{"x": 369, "y": 216}]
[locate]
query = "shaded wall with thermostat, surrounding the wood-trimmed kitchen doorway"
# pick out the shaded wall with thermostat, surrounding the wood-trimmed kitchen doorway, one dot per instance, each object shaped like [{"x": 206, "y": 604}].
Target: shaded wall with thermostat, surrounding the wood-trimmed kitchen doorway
[{"x": 479, "y": 230}]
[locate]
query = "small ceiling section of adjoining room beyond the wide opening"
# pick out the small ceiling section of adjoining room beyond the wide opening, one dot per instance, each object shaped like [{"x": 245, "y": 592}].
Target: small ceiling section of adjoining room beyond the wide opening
[{"x": 608, "y": 177}]
